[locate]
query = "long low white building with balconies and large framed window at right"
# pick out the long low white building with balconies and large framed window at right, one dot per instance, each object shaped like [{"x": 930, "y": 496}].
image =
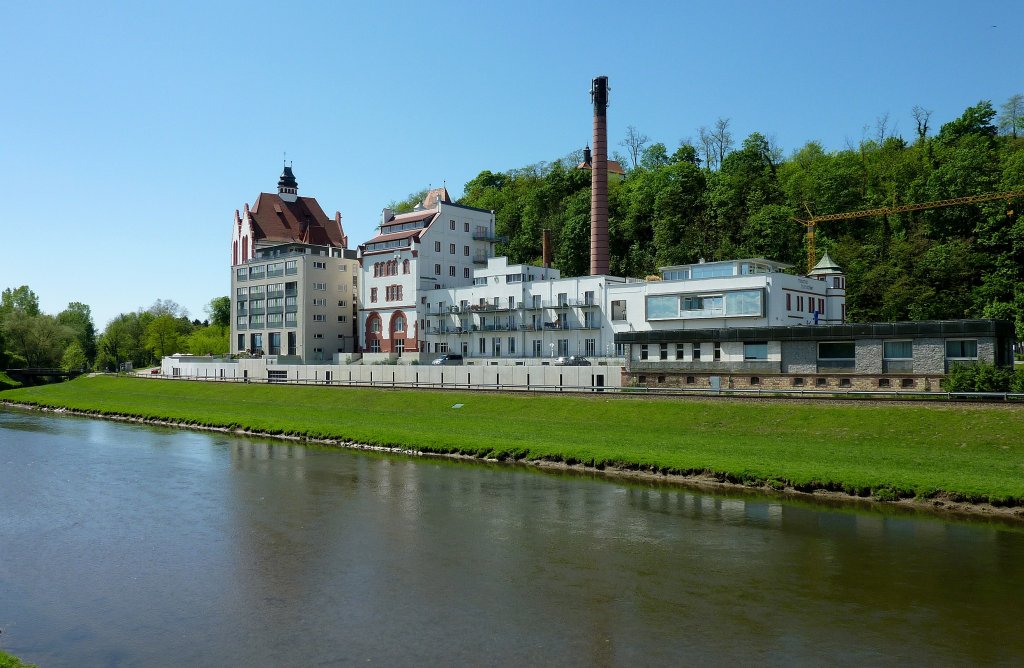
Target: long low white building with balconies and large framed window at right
[{"x": 524, "y": 312}]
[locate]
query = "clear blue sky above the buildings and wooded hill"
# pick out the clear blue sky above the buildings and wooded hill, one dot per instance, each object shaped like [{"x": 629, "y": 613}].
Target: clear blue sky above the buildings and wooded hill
[{"x": 133, "y": 132}]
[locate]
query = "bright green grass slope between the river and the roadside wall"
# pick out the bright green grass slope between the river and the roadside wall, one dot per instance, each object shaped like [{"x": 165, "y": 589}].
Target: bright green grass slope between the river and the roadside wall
[{"x": 920, "y": 450}]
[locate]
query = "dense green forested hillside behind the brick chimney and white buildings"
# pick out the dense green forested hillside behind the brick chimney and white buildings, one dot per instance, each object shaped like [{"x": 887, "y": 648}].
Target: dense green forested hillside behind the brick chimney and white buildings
[{"x": 719, "y": 201}]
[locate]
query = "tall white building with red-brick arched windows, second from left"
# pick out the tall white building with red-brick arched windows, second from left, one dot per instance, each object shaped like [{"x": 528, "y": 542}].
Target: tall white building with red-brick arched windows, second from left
[{"x": 436, "y": 246}]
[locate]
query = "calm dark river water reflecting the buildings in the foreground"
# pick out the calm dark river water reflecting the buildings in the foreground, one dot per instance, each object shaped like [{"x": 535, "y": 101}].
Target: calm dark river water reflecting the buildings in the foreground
[{"x": 132, "y": 546}]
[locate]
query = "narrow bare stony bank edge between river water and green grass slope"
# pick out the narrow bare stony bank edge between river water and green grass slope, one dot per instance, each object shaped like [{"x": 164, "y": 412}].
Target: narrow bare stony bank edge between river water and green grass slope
[{"x": 938, "y": 506}]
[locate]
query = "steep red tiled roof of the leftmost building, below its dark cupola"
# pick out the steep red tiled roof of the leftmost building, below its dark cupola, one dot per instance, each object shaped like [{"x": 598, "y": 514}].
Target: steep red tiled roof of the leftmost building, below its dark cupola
[{"x": 304, "y": 221}]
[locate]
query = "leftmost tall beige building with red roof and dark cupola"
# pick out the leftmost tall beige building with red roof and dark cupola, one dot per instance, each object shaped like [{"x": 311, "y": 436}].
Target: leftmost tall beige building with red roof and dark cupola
[{"x": 293, "y": 279}]
